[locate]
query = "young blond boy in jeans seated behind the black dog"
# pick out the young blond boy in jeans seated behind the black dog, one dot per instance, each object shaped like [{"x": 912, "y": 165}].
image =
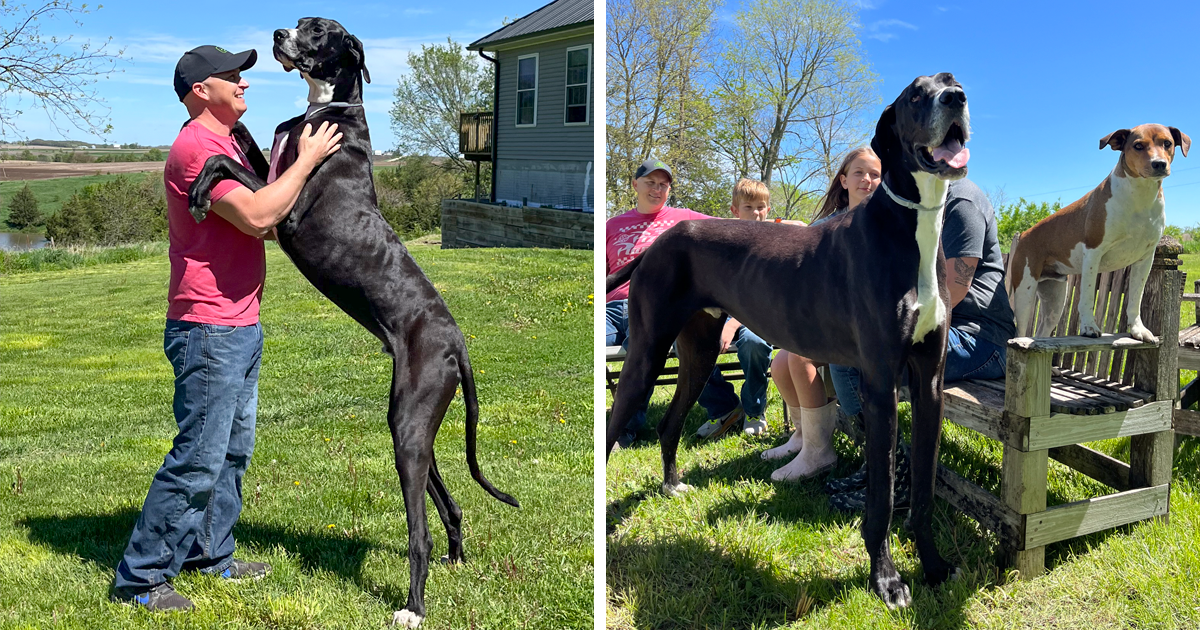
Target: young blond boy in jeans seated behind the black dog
[{"x": 752, "y": 202}]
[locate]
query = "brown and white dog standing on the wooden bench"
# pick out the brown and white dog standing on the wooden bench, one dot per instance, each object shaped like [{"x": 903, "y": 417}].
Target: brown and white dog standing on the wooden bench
[{"x": 1114, "y": 226}]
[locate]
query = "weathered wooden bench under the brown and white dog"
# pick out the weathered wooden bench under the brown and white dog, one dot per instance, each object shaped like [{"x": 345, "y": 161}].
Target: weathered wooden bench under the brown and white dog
[{"x": 1063, "y": 392}]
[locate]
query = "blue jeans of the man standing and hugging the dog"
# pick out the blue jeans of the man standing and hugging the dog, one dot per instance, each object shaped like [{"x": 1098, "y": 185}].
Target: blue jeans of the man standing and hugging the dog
[{"x": 196, "y": 497}]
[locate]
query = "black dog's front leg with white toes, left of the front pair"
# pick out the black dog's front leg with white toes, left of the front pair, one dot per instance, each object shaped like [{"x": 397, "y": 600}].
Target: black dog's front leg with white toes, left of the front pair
[{"x": 880, "y": 412}]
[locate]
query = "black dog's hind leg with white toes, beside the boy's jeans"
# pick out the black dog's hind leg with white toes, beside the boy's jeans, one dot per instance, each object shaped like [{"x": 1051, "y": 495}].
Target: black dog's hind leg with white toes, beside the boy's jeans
[{"x": 698, "y": 346}]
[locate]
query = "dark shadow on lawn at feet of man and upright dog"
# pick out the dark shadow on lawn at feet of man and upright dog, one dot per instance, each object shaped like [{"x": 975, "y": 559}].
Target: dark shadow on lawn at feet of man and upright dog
[{"x": 101, "y": 539}]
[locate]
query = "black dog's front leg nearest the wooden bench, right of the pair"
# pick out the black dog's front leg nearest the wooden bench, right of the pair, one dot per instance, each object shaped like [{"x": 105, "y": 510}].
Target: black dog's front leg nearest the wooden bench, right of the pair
[{"x": 926, "y": 367}]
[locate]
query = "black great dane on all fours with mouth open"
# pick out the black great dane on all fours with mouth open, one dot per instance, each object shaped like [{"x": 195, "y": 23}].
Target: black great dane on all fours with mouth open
[{"x": 866, "y": 289}]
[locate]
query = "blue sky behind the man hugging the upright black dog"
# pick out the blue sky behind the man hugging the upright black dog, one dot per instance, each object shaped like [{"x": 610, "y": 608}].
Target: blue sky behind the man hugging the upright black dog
[{"x": 146, "y": 110}]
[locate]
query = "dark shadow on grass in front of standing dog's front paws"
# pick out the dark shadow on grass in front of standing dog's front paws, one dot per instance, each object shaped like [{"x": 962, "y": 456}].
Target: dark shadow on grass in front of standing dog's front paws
[{"x": 687, "y": 583}]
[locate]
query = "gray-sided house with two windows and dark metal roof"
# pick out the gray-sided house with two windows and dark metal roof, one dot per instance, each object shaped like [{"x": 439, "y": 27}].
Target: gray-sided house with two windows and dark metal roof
[{"x": 544, "y": 107}]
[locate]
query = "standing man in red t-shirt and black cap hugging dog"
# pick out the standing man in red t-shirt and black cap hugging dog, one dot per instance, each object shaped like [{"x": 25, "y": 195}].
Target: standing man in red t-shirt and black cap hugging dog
[{"x": 213, "y": 339}]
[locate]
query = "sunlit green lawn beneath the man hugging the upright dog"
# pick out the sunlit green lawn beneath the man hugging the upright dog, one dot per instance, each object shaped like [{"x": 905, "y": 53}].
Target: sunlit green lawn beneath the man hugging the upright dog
[{"x": 86, "y": 421}]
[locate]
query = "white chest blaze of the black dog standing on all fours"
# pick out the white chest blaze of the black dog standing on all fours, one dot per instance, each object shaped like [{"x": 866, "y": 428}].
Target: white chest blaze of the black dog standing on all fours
[{"x": 931, "y": 310}]
